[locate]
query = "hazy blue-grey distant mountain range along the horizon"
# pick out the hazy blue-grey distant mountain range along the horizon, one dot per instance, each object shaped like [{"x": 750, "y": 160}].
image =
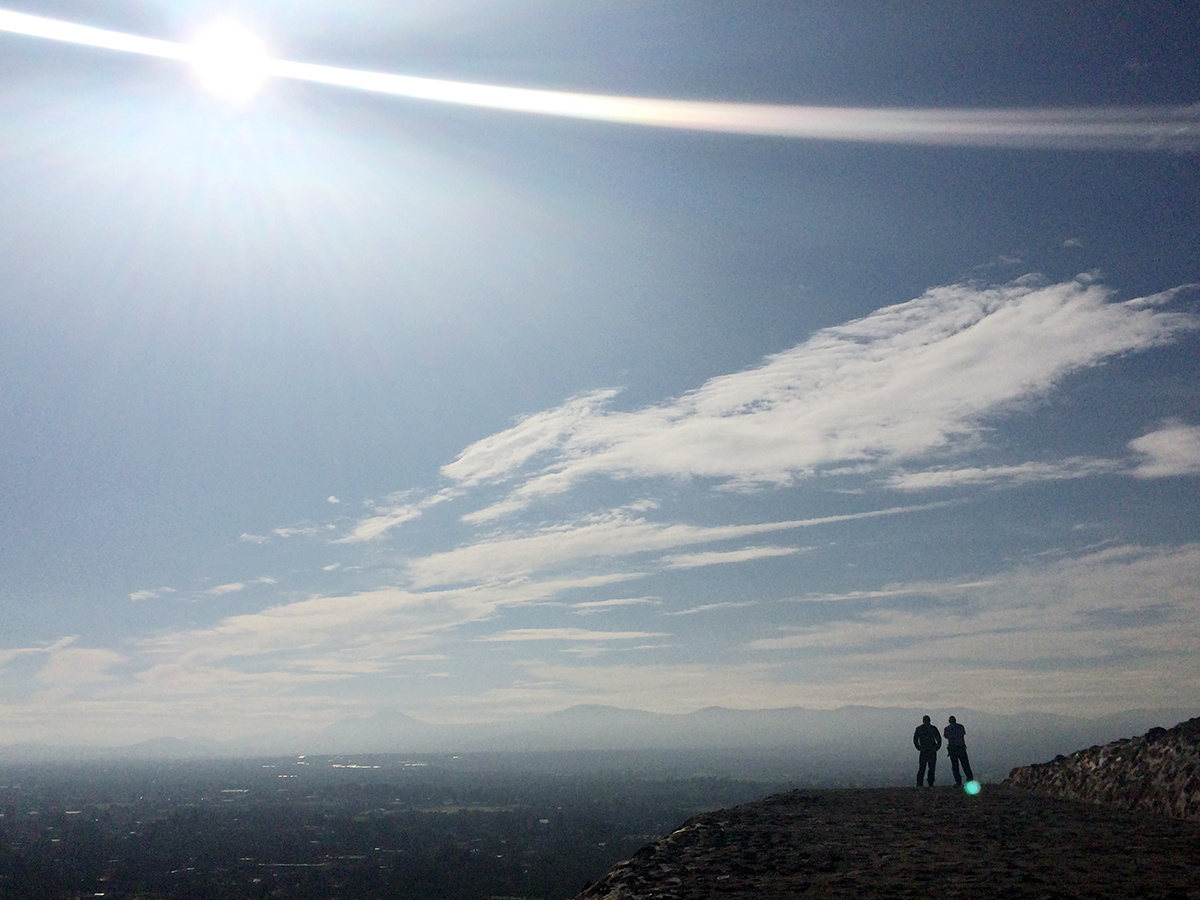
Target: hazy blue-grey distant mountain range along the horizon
[{"x": 860, "y": 746}]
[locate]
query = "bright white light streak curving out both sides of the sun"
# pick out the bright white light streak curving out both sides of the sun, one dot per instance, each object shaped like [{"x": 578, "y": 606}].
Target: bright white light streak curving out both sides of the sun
[{"x": 1113, "y": 128}]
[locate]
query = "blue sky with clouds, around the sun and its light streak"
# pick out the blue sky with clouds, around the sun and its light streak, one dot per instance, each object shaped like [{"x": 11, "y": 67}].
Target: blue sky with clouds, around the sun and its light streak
[{"x": 327, "y": 403}]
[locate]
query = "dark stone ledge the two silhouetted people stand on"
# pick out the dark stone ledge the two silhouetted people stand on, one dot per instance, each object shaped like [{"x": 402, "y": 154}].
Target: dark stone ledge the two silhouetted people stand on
[{"x": 915, "y": 843}]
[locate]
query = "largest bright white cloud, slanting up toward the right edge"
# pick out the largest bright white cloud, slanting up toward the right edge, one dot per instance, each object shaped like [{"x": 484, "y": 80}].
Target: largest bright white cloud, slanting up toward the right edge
[{"x": 907, "y": 382}]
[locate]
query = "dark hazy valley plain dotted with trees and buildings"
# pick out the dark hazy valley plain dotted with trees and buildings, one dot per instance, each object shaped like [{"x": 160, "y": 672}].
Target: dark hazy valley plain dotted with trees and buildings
[{"x": 333, "y": 829}]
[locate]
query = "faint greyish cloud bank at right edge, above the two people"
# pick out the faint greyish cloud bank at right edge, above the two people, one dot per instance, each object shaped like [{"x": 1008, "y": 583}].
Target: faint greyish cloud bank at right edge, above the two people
[{"x": 1117, "y": 602}]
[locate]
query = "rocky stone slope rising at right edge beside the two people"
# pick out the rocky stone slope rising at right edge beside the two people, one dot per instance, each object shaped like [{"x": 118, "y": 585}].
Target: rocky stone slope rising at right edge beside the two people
[{"x": 1159, "y": 771}]
